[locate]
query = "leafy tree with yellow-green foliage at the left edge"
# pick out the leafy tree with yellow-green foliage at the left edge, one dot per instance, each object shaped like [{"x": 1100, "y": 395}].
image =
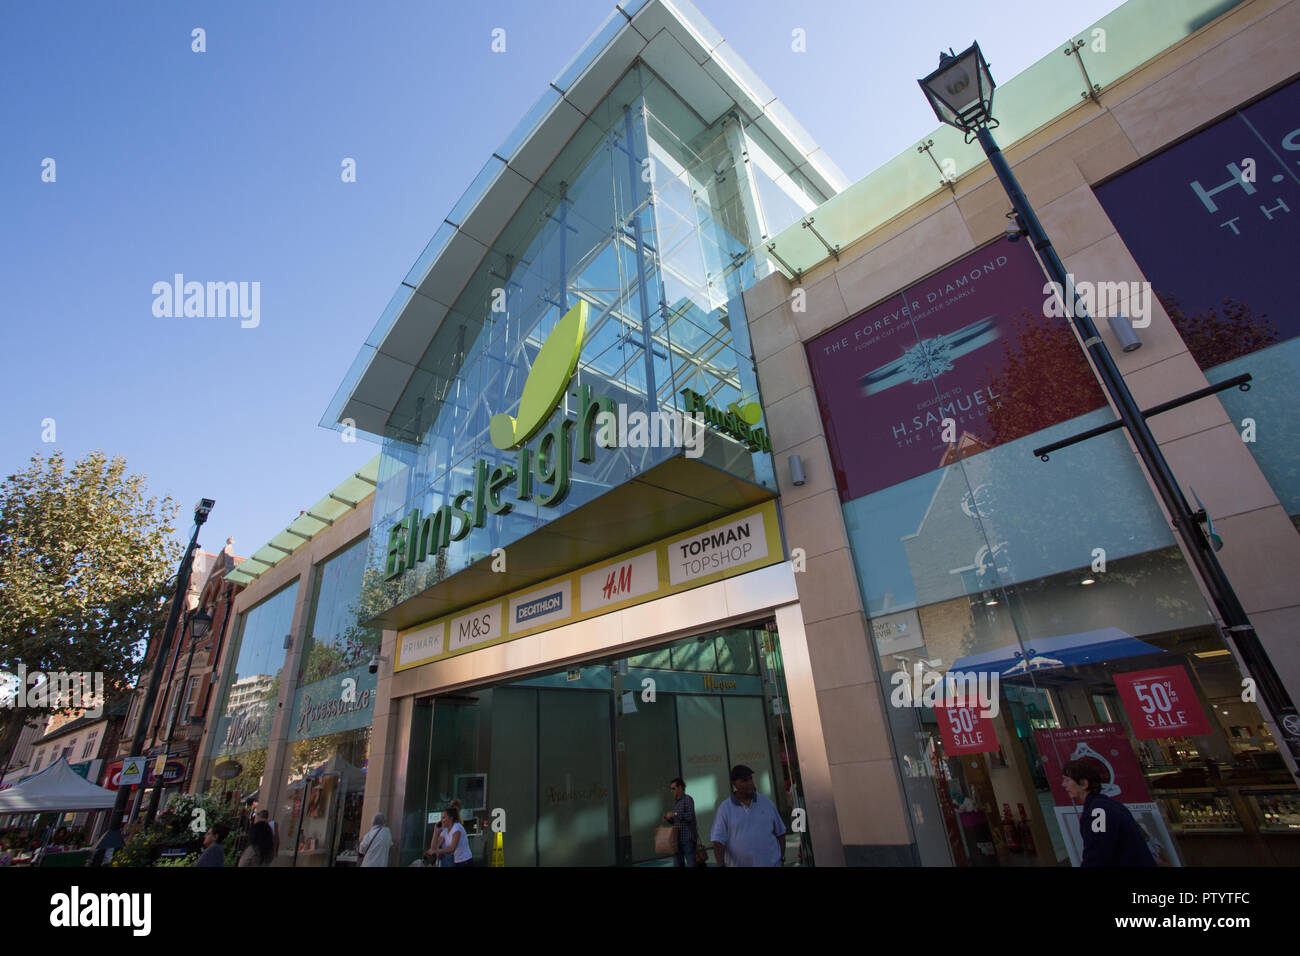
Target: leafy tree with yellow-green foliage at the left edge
[{"x": 86, "y": 570}]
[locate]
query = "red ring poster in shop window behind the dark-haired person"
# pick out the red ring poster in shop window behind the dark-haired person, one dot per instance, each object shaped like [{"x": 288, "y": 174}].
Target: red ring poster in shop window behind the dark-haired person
[{"x": 1123, "y": 782}]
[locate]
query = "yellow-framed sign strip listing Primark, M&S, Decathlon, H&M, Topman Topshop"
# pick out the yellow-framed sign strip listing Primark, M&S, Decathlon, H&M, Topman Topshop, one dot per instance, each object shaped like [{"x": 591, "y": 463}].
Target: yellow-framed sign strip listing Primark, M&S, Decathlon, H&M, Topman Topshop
[{"x": 721, "y": 550}]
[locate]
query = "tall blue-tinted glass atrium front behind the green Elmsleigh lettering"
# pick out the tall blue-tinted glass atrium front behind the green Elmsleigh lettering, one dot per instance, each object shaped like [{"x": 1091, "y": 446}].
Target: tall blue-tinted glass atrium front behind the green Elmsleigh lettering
[{"x": 648, "y": 217}]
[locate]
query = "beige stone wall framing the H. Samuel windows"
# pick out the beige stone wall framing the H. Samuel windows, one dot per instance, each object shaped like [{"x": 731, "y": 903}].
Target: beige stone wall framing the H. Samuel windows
[{"x": 1240, "y": 57}]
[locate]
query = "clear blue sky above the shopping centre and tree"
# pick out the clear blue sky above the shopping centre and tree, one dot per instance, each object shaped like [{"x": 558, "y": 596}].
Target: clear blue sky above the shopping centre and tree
[{"x": 226, "y": 167}]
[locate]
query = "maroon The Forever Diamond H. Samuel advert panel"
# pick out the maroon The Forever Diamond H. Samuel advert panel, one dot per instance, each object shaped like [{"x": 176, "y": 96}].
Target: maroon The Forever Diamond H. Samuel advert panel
[{"x": 959, "y": 364}]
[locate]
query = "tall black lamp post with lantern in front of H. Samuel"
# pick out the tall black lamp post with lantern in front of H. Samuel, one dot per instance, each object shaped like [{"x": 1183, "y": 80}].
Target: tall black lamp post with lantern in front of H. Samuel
[{"x": 961, "y": 94}]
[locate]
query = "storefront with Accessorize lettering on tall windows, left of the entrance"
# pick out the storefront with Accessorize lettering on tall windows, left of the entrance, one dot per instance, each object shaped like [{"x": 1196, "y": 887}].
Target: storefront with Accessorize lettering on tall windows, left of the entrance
[{"x": 292, "y": 713}]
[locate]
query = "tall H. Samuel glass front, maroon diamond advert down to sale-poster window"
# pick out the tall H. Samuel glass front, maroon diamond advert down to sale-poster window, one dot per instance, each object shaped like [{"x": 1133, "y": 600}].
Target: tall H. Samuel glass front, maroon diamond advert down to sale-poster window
[{"x": 1028, "y": 613}]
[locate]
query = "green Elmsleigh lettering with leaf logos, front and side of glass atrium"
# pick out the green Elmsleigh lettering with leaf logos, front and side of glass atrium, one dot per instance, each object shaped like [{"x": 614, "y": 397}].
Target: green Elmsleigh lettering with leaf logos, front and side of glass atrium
[{"x": 544, "y": 474}]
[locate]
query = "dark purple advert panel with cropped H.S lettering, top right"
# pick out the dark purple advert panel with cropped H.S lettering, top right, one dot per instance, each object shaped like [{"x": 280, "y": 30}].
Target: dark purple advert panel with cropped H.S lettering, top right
[{"x": 1215, "y": 224}]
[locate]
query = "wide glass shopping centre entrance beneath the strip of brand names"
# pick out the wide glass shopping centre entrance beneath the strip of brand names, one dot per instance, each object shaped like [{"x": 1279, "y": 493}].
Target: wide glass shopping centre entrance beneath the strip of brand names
[{"x": 575, "y": 763}]
